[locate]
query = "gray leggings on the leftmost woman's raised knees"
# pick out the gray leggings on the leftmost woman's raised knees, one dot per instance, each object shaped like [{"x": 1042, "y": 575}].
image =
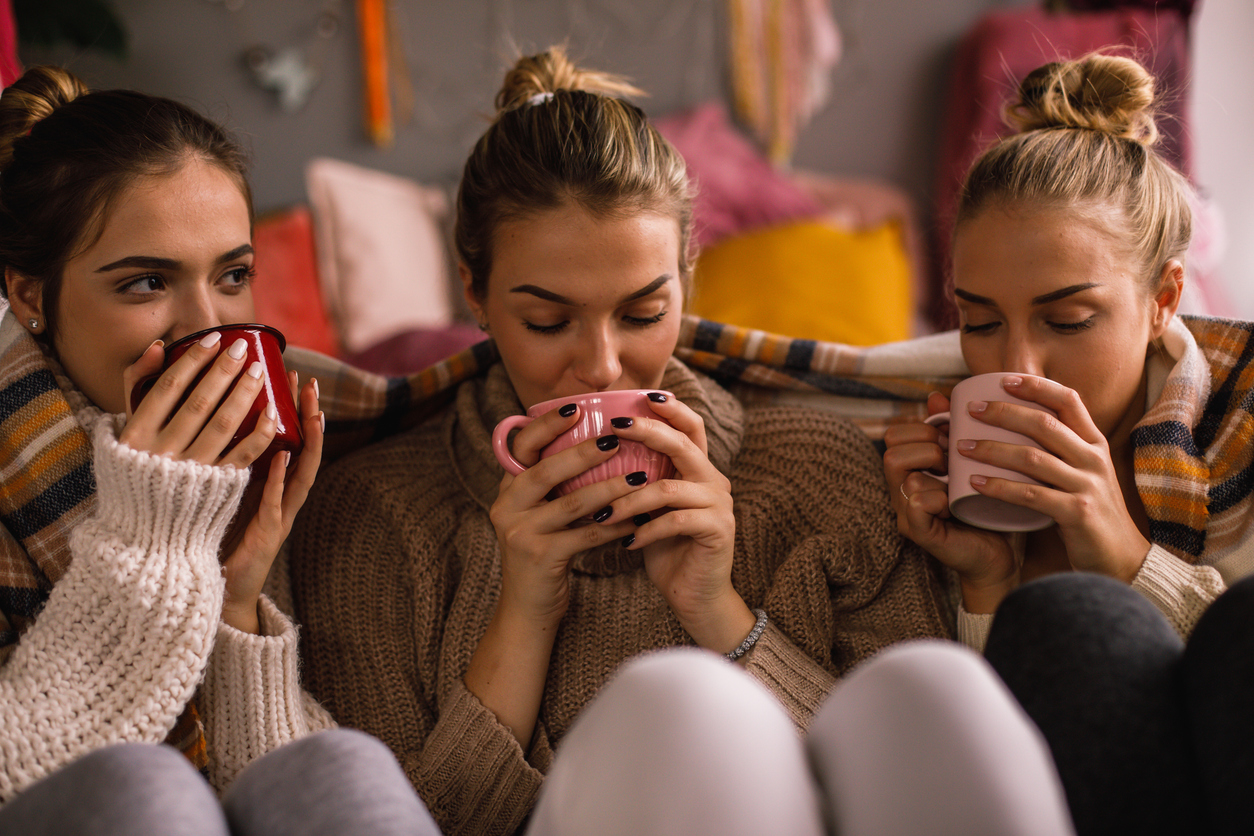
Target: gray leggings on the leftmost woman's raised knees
[{"x": 334, "y": 783}]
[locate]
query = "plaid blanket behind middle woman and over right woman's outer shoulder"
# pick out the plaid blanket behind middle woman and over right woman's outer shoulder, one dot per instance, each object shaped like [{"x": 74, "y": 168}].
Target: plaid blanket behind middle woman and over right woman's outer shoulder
[{"x": 1193, "y": 451}]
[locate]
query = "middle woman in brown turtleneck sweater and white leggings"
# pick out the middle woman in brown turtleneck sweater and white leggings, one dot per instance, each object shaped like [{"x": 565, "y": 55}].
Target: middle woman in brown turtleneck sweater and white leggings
[{"x": 470, "y": 622}]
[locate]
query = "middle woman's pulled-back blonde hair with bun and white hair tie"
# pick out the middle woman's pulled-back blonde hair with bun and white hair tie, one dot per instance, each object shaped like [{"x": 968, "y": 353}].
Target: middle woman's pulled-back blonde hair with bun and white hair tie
[{"x": 565, "y": 135}]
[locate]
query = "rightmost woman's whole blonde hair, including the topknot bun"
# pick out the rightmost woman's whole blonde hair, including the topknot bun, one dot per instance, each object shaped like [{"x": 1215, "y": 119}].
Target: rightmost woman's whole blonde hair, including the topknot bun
[{"x": 1085, "y": 142}]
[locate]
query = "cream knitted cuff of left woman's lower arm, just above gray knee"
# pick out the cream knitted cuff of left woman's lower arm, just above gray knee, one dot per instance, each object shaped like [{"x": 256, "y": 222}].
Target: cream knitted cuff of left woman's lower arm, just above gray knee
[{"x": 251, "y": 696}]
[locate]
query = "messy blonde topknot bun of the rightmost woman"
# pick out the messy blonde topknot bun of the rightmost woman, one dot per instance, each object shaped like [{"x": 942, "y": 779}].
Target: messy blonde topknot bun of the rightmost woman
[{"x": 1107, "y": 93}]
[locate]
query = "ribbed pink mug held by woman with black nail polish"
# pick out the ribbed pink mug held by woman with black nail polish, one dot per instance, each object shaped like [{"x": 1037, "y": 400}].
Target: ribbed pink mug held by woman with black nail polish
[{"x": 596, "y": 410}]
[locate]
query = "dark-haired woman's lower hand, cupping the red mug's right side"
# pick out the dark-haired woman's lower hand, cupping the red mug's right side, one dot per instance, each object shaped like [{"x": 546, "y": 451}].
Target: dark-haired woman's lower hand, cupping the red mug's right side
[{"x": 270, "y": 508}]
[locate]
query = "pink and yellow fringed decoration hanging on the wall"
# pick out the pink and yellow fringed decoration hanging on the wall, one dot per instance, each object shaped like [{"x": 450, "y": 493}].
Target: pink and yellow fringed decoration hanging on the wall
[{"x": 782, "y": 58}]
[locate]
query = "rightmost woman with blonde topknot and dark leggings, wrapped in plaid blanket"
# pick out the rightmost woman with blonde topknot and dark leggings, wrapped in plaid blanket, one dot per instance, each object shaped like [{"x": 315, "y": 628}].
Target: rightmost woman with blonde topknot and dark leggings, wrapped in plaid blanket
[{"x": 1115, "y": 627}]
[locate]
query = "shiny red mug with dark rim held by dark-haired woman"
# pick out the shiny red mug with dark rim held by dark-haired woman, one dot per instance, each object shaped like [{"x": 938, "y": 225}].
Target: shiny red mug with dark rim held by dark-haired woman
[{"x": 265, "y": 345}]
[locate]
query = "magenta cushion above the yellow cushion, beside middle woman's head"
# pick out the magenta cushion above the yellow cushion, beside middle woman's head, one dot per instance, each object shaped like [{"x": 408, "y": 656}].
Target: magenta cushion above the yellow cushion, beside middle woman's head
[{"x": 738, "y": 189}]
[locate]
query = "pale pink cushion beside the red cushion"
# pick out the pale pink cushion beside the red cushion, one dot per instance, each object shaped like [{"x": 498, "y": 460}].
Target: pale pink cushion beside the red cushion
[{"x": 383, "y": 259}]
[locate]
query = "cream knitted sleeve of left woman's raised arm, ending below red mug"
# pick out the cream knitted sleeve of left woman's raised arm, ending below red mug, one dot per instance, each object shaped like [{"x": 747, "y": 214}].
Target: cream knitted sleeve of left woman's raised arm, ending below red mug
[{"x": 127, "y": 632}]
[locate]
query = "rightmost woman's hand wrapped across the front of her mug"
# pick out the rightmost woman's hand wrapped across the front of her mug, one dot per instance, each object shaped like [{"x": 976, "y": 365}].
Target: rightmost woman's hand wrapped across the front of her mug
[{"x": 1083, "y": 494}]
